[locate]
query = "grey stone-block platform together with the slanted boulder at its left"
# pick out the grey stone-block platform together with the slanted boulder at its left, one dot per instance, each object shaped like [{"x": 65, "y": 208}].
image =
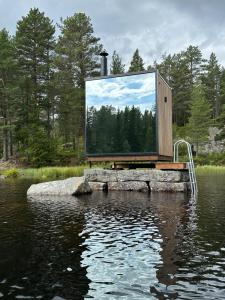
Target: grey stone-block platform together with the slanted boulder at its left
[{"x": 150, "y": 180}]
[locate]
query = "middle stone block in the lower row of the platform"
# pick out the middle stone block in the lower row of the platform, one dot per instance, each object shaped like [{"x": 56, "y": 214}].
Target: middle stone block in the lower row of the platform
[{"x": 128, "y": 186}]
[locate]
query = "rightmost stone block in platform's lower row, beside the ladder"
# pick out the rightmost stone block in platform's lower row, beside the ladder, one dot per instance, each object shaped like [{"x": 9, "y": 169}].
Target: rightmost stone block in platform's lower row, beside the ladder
[{"x": 168, "y": 186}]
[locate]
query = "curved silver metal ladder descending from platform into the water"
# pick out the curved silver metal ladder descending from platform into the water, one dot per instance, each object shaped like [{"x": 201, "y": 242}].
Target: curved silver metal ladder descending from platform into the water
[{"x": 190, "y": 164}]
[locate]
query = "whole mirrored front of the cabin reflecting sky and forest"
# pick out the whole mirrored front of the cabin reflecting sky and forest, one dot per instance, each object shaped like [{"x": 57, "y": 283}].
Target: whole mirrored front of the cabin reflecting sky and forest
[{"x": 121, "y": 115}]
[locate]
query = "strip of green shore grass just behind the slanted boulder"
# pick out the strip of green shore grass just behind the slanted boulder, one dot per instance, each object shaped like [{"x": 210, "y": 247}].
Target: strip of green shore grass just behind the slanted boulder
[{"x": 52, "y": 172}]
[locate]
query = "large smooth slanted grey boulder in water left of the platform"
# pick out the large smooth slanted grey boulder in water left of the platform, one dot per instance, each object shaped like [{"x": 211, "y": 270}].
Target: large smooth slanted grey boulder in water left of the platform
[{"x": 71, "y": 186}]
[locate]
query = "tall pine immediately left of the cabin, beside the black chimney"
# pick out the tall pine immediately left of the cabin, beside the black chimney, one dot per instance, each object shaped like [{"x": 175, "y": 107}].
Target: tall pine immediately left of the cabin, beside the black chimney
[{"x": 76, "y": 58}]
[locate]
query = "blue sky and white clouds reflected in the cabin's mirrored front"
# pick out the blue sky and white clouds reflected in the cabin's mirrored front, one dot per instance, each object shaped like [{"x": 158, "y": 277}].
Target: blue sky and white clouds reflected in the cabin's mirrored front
[{"x": 137, "y": 90}]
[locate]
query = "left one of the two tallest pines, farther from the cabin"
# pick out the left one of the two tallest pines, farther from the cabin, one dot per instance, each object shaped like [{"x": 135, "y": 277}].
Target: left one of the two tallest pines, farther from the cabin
[{"x": 34, "y": 49}]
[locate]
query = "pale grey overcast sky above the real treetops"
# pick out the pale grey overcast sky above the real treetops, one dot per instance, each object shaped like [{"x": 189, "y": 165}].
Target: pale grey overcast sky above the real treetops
[{"x": 153, "y": 26}]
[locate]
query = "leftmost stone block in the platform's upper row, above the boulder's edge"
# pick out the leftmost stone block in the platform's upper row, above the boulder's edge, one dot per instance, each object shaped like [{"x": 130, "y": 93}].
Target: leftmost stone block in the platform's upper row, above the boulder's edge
[{"x": 100, "y": 175}]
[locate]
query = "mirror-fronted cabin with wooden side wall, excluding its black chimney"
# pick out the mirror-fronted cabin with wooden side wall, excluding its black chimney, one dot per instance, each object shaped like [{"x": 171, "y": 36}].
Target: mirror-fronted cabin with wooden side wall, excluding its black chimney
[{"x": 128, "y": 118}]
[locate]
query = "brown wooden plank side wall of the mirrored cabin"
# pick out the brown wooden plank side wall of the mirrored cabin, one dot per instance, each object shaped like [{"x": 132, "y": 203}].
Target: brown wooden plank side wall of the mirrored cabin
[{"x": 164, "y": 115}]
